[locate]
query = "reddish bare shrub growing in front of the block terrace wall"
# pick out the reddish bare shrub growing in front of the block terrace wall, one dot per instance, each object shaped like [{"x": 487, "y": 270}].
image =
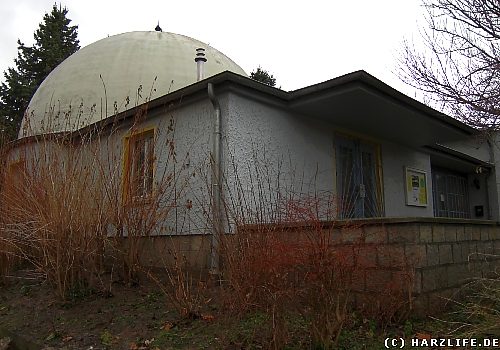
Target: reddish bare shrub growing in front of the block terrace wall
[{"x": 290, "y": 256}]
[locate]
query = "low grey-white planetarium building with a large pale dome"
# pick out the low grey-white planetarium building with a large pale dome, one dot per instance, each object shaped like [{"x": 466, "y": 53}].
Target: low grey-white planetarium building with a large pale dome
[{"x": 184, "y": 147}]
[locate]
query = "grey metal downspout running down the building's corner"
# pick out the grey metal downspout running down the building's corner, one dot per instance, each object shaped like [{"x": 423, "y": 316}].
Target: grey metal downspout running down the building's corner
[{"x": 216, "y": 184}]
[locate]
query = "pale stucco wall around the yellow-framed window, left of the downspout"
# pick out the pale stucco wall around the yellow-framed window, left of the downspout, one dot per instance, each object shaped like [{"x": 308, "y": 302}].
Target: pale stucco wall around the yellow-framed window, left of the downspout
[{"x": 189, "y": 128}]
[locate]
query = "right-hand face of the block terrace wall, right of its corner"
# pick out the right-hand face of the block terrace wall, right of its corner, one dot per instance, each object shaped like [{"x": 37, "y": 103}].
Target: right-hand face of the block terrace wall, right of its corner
[{"x": 455, "y": 254}]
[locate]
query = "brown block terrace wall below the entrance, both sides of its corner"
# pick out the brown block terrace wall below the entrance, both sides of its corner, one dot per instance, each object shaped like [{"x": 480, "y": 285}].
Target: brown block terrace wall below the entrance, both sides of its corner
[{"x": 440, "y": 256}]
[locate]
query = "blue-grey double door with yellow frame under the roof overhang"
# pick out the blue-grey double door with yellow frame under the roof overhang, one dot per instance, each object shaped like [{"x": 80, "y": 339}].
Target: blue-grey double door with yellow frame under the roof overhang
[{"x": 357, "y": 181}]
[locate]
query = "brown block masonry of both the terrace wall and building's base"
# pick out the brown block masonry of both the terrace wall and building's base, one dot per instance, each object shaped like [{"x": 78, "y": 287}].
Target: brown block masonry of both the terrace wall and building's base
[{"x": 426, "y": 260}]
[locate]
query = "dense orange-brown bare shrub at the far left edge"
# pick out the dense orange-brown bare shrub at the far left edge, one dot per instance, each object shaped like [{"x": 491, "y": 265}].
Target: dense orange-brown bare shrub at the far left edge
[{"x": 55, "y": 214}]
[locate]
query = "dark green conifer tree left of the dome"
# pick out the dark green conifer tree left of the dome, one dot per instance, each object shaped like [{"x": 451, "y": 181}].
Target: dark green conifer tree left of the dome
[{"x": 55, "y": 40}]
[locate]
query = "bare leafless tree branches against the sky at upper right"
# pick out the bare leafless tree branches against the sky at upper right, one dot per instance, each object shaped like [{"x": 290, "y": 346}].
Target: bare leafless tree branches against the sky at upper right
[{"x": 460, "y": 68}]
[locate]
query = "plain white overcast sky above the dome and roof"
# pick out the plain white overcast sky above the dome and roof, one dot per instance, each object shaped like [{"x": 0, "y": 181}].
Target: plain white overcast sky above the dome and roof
[{"x": 300, "y": 42}]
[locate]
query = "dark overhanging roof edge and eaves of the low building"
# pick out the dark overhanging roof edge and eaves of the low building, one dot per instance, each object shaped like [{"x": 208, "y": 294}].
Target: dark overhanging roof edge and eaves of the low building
[{"x": 318, "y": 100}]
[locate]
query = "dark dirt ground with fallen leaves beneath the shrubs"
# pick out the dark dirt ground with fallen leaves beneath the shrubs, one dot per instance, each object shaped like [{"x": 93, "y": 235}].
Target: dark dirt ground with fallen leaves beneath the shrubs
[{"x": 142, "y": 317}]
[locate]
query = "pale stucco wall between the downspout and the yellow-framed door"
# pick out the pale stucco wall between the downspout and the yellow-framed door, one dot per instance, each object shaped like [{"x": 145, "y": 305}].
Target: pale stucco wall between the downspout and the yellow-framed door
[{"x": 295, "y": 155}]
